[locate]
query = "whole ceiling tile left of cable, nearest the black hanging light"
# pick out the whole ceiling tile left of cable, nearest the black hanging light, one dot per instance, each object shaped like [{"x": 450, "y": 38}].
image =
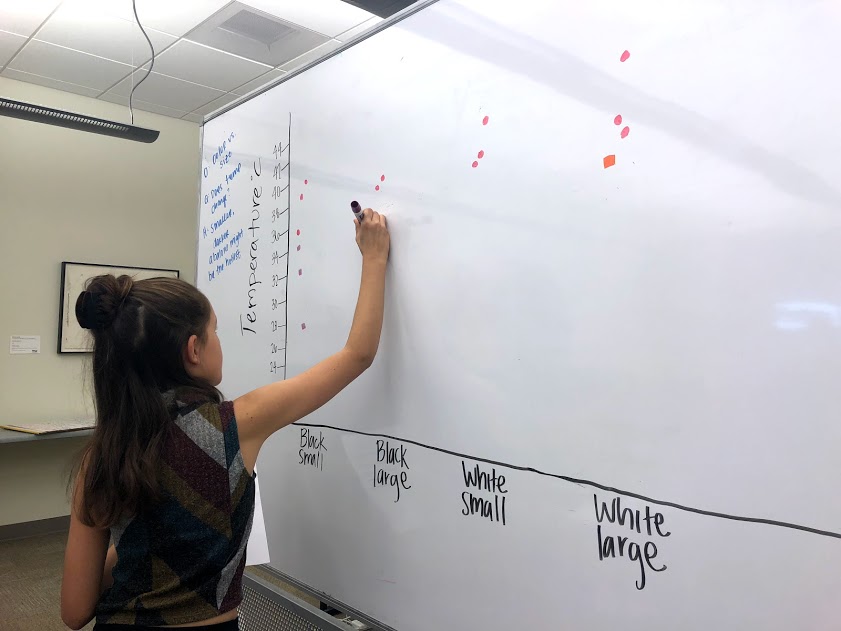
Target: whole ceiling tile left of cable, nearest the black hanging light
[{"x": 64, "y": 64}]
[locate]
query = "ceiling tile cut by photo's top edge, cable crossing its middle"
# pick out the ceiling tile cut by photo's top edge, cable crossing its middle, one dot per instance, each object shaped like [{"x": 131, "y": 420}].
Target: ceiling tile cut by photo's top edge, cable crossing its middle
[{"x": 174, "y": 17}]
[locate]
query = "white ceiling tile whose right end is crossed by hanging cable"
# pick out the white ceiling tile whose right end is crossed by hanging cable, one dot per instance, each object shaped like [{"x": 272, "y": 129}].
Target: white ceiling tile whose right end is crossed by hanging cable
[{"x": 91, "y": 31}]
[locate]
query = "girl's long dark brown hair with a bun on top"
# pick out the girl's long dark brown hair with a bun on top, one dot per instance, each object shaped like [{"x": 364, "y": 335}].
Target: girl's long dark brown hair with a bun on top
[{"x": 140, "y": 329}]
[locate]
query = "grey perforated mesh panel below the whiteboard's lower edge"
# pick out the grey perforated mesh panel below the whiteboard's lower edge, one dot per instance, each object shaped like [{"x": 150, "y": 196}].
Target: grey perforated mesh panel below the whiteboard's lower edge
[{"x": 266, "y": 608}]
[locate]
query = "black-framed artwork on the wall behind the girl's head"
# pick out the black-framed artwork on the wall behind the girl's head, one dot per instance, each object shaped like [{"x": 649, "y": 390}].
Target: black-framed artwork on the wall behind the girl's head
[{"x": 74, "y": 276}]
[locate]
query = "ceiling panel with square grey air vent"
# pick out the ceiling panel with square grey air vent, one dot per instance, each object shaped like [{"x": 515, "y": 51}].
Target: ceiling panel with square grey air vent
[{"x": 255, "y": 35}]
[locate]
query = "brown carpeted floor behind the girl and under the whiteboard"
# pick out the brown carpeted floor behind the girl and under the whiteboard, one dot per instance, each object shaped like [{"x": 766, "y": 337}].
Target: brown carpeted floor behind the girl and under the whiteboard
[{"x": 30, "y": 584}]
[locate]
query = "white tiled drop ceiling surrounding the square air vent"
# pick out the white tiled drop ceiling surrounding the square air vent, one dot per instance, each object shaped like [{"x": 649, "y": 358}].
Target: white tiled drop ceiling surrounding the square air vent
[{"x": 189, "y": 80}]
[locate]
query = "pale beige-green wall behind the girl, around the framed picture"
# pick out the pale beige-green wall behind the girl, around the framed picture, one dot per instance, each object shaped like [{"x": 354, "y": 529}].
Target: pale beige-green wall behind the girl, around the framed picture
[{"x": 71, "y": 196}]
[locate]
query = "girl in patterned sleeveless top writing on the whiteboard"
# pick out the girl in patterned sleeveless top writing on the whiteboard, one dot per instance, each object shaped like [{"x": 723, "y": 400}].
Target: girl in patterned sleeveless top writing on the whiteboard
[{"x": 168, "y": 475}]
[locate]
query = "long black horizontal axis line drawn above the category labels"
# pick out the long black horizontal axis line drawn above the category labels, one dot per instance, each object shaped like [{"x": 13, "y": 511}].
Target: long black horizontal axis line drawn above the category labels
[{"x": 590, "y": 483}]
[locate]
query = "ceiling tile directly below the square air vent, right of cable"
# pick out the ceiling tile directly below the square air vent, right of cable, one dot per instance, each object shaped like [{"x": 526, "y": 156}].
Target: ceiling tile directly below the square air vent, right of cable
[{"x": 208, "y": 66}]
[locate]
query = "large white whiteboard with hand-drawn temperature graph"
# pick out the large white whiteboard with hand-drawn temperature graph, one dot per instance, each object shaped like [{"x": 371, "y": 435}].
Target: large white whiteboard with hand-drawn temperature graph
[{"x": 668, "y": 327}]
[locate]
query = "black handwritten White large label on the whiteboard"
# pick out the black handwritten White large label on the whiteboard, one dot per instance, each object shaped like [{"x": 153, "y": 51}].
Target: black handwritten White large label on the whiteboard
[{"x": 641, "y": 550}]
